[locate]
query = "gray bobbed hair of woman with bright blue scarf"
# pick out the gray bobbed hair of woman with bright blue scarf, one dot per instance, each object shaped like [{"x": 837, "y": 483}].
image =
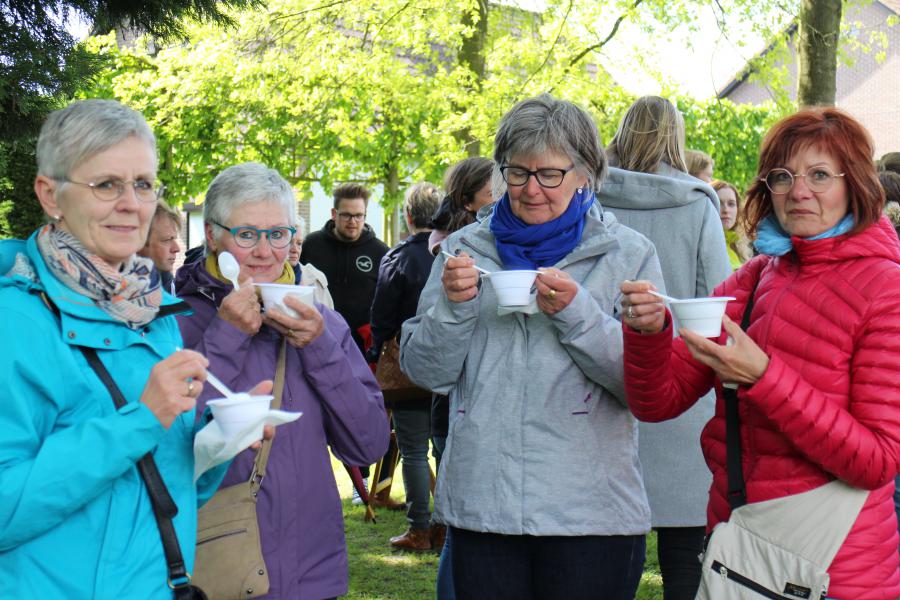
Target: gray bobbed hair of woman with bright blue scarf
[{"x": 545, "y": 124}]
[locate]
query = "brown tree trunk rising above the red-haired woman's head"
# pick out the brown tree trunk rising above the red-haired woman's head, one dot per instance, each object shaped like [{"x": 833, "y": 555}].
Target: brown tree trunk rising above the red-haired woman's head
[{"x": 820, "y": 28}]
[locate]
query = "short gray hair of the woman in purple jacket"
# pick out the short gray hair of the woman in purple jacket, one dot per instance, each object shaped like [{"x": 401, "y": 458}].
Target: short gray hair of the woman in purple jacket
[{"x": 247, "y": 183}]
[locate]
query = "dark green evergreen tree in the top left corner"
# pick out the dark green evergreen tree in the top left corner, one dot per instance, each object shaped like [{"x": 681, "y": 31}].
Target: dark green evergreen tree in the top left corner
[{"x": 42, "y": 65}]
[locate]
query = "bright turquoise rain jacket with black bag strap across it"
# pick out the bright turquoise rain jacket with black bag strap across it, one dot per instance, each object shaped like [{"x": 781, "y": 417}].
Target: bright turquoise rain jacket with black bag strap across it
[{"x": 75, "y": 517}]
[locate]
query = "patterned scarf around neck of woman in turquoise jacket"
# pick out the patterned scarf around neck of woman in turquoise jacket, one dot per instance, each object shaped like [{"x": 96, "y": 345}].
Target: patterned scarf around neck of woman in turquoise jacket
[{"x": 131, "y": 294}]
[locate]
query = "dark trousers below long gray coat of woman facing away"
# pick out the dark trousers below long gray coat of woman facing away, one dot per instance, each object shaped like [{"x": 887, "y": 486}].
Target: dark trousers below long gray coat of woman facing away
[{"x": 678, "y": 549}]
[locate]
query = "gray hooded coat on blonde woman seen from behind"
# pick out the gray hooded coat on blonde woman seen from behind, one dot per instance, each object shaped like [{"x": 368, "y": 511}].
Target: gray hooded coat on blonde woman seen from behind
[{"x": 680, "y": 215}]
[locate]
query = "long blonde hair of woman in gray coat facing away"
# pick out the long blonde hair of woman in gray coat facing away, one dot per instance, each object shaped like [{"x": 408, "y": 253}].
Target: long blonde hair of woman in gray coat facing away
[{"x": 652, "y": 131}]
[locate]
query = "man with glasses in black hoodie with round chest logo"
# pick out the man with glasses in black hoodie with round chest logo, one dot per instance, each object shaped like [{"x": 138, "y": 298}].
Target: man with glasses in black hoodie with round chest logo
[{"x": 348, "y": 252}]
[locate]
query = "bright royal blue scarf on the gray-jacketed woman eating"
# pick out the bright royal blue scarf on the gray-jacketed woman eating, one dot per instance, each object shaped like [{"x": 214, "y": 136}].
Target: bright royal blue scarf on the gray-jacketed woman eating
[{"x": 523, "y": 246}]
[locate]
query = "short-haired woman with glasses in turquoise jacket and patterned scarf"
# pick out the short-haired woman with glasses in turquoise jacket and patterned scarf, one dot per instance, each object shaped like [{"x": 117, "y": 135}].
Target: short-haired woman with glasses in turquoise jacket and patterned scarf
[{"x": 75, "y": 517}]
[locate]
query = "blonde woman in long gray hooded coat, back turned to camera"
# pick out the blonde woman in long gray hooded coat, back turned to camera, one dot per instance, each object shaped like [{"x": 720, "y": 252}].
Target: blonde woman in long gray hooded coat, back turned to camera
[{"x": 653, "y": 194}]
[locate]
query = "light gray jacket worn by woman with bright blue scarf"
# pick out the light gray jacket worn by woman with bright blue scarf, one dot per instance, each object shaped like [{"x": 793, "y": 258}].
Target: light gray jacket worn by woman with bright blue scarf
[{"x": 540, "y": 440}]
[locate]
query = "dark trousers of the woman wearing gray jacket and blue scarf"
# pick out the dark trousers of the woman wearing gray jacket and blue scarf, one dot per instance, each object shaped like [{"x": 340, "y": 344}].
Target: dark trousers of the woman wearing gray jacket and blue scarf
[{"x": 489, "y": 566}]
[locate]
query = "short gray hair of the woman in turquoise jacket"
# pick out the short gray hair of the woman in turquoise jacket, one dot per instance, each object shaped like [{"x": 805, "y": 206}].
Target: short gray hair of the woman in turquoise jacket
[{"x": 84, "y": 128}]
